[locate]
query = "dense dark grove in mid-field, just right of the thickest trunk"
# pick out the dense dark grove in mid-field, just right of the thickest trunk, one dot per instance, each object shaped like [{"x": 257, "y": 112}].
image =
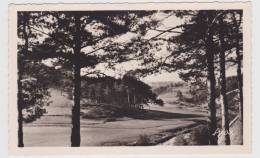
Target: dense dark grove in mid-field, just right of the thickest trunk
[{"x": 128, "y": 92}]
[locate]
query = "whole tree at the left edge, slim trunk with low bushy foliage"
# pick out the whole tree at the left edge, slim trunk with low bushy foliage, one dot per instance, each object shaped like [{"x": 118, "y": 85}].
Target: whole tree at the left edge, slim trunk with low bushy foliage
[{"x": 32, "y": 86}]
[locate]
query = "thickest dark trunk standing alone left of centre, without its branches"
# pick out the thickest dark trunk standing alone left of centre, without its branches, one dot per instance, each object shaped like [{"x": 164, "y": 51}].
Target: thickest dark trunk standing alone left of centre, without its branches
[{"x": 75, "y": 133}]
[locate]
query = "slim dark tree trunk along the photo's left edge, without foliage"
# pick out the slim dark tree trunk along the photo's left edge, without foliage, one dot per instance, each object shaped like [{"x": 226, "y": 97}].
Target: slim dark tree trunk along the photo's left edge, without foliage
[{"x": 20, "y": 74}]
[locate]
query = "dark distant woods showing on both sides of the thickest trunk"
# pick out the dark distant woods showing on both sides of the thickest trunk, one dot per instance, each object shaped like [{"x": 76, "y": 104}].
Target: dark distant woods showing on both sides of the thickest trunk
[{"x": 128, "y": 92}]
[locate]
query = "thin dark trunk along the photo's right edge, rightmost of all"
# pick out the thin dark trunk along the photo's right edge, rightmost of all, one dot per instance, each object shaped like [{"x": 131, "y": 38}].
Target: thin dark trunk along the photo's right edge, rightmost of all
[{"x": 239, "y": 67}]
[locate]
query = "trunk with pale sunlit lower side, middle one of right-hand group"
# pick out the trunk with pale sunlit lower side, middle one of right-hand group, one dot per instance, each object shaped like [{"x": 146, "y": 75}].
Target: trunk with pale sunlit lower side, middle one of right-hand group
[{"x": 223, "y": 96}]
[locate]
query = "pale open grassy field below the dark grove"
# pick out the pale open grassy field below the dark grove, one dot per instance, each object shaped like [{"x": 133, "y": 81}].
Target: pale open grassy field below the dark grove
[{"x": 54, "y": 128}]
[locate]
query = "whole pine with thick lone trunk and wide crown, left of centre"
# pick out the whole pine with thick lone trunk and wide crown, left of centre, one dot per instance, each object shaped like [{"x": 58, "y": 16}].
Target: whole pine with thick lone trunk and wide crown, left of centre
[{"x": 71, "y": 32}]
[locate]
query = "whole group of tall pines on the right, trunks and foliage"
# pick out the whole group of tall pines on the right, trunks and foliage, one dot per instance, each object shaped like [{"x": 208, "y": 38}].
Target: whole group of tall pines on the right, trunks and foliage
[{"x": 208, "y": 42}]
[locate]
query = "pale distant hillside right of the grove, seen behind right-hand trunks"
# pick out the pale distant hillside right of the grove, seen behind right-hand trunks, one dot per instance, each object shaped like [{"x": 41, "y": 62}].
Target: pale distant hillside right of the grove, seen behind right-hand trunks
[{"x": 182, "y": 95}]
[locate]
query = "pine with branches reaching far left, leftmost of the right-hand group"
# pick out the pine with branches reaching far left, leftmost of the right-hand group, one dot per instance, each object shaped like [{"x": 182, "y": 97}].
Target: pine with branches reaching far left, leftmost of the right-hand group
[{"x": 192, "y": 54}]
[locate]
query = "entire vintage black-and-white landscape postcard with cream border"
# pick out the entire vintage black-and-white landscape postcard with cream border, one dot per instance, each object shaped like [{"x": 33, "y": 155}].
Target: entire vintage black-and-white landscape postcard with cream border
[{"x": 130, "y": 78}]
